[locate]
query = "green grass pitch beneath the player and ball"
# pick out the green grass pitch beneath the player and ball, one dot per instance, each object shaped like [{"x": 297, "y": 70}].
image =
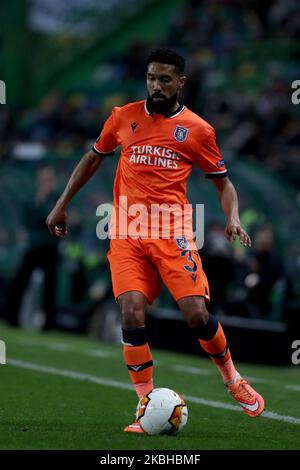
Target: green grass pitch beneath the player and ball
[{"x": 61, "y": 391}]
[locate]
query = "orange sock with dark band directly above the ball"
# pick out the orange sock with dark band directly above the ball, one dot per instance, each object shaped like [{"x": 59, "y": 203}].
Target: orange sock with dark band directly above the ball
[{"x": 140, "y": 365}]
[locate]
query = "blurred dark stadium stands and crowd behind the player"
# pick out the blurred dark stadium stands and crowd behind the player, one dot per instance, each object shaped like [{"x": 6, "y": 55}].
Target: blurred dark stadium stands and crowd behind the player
[{"x": 65, "y": 64}]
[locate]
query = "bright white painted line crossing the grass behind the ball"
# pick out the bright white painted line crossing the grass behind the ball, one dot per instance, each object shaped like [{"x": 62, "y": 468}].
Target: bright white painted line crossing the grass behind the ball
[{"x": 115, "y": 383}]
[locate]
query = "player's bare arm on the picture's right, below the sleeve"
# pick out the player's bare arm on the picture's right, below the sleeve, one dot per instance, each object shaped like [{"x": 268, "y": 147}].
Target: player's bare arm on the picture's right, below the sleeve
[{"x": 230, "y": 204}]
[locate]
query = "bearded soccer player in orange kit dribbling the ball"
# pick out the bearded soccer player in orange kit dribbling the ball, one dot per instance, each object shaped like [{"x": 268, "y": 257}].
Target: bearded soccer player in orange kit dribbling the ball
[{"x": 161, "y": 140}]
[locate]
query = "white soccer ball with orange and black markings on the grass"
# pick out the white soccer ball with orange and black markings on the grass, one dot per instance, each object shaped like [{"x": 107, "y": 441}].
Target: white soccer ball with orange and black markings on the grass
[{"x": 162, "y": 411}]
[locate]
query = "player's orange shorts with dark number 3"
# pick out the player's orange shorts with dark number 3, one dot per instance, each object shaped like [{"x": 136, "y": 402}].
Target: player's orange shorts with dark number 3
[{"x": 145, "y": 264}]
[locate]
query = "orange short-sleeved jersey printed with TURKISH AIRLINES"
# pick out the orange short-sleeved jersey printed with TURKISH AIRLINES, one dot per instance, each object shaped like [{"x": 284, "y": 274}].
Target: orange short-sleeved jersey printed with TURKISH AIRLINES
[{"x": 158, "y": 152}]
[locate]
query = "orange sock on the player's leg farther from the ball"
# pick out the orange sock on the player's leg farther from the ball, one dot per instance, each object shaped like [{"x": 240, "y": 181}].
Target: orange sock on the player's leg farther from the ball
[{"x": 217, "y": 349}]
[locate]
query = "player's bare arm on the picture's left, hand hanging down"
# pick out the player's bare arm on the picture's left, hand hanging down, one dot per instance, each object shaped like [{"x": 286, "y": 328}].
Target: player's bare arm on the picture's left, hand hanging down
[{"x": 57, "y": 219}]
